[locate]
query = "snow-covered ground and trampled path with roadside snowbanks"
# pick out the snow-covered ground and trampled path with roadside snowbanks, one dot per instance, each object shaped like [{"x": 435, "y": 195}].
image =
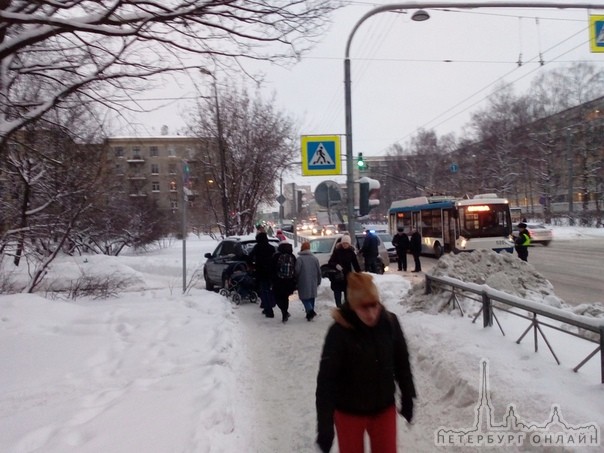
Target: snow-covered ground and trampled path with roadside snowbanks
[{"x": 152, "y": 370}]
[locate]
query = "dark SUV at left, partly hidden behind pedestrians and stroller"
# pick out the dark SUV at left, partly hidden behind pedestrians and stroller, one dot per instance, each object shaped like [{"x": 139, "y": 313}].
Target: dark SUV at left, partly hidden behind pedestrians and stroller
[{"x": 230, "y": 250}]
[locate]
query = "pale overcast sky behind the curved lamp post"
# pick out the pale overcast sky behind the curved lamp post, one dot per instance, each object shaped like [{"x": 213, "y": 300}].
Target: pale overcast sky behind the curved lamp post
[{"x": 408, "y": 75}]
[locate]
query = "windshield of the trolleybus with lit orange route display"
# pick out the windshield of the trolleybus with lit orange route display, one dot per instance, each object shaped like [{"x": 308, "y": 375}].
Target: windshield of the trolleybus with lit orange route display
[{"x": 484, "y": 220}]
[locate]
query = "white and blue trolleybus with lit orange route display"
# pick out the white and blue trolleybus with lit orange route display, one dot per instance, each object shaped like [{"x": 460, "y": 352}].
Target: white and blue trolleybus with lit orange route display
[{"x": 449, "y": 224}]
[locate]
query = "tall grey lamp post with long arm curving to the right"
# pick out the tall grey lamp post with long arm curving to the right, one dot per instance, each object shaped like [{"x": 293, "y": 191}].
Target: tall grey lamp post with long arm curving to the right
[{"x": 418, "y": 16}]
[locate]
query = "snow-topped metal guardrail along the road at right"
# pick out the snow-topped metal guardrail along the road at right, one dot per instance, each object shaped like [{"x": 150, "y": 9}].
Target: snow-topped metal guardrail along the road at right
[{"x": 488, "y": 295}]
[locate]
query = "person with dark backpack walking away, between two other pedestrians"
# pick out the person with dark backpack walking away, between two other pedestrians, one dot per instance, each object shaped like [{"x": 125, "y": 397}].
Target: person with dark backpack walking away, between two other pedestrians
[{"x": 284, "y": 277}]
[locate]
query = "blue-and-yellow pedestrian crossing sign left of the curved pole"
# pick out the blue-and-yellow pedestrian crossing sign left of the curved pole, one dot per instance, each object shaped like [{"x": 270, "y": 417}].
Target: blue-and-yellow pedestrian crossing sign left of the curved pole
[{"x": 321, "y": 155}]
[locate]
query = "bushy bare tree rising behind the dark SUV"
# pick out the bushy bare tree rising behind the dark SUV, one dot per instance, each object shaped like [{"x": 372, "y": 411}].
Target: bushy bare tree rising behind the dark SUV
[{"x": 257, "y": 141}]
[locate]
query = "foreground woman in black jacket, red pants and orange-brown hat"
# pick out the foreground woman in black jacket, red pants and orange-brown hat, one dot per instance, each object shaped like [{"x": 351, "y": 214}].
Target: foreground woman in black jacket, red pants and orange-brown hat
[{"x": 364, "y": 359}]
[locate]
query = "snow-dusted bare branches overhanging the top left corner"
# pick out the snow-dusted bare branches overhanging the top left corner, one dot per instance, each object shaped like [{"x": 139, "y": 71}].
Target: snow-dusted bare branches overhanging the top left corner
[{"x": 53, "y": 51}]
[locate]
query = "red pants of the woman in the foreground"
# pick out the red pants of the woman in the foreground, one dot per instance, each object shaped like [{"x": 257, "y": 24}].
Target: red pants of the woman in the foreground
[{"x": 380, "y": 427}]
